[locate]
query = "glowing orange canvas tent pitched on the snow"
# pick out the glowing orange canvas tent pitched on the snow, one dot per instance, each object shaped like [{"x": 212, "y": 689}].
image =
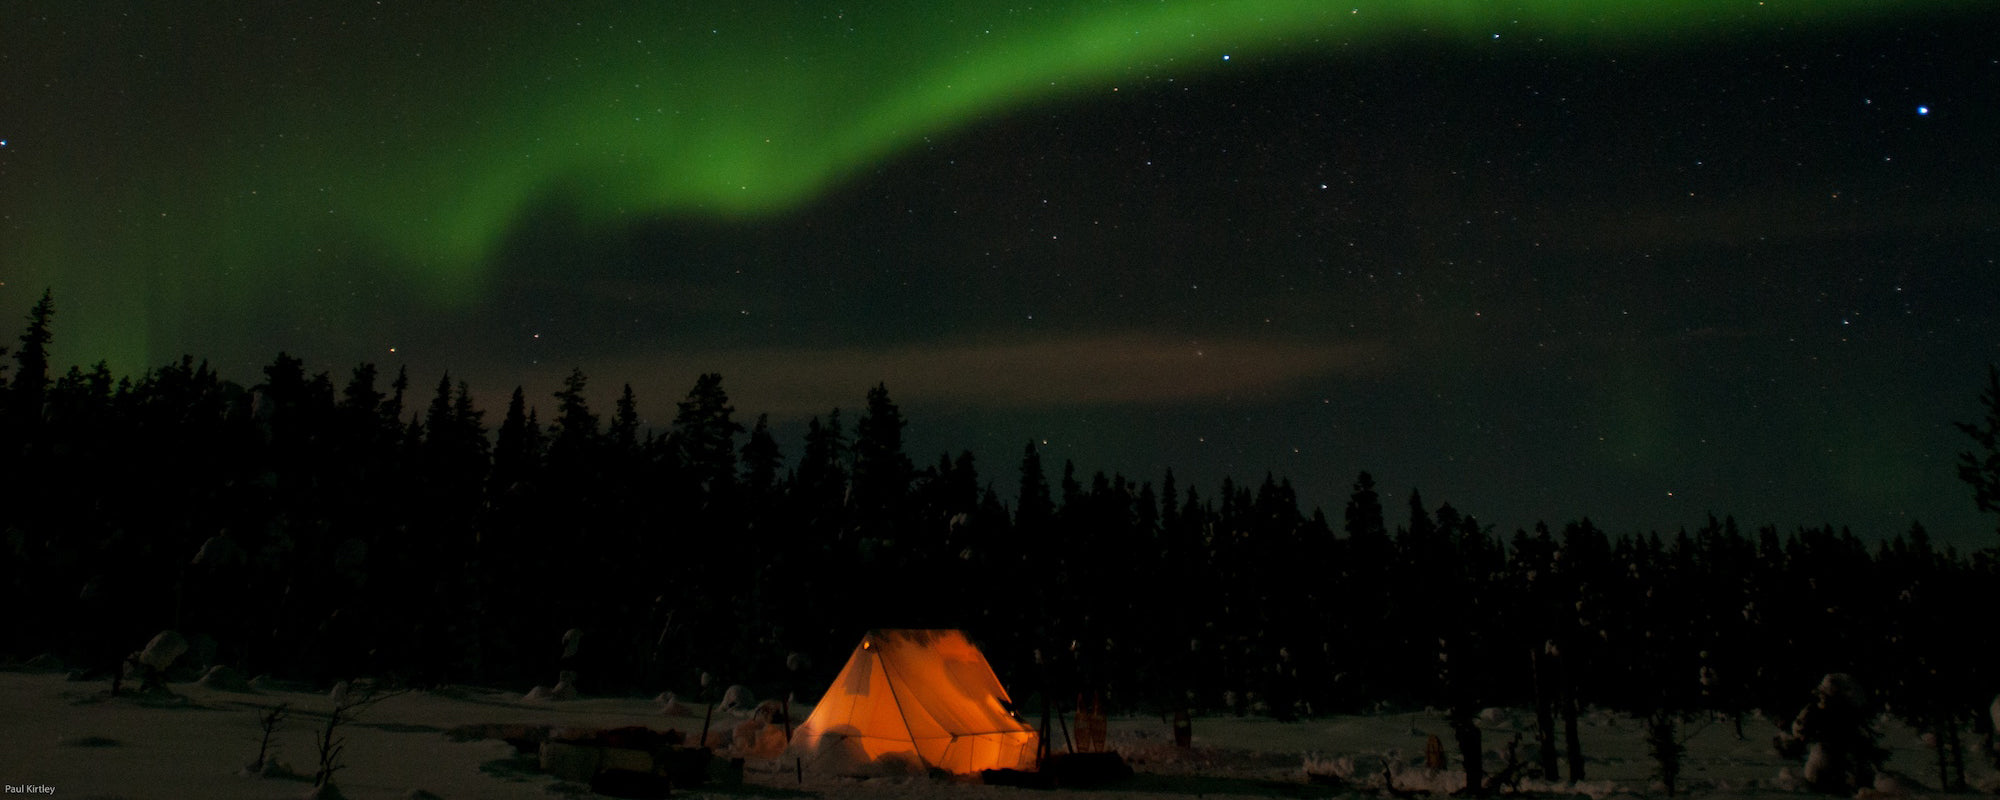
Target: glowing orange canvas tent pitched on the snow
[{"x": 917, "y": 699}]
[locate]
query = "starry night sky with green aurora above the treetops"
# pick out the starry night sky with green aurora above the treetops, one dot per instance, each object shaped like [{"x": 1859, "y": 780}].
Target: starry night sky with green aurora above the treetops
[{"x": 1629, "y": 261}]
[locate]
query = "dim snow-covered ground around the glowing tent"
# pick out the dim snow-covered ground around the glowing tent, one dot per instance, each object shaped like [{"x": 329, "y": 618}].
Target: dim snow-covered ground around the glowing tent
[{"x": 77, "y": 743}]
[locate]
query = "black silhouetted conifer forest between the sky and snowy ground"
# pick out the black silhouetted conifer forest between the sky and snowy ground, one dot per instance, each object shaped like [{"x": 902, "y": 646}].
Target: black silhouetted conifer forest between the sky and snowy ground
[{"x": 321, "y": 531}]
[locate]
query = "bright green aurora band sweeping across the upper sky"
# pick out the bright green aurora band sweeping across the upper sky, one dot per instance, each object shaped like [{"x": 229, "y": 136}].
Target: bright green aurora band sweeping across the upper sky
[{"x": 227, "y": 157}]
